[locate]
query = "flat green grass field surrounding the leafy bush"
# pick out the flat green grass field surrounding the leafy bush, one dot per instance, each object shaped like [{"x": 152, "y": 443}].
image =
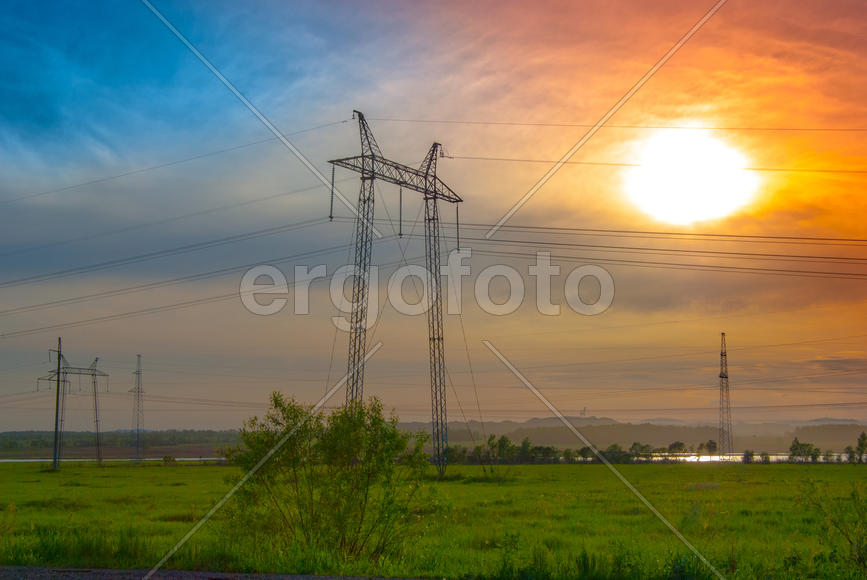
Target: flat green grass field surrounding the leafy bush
[{"x": 529, "y": 521}]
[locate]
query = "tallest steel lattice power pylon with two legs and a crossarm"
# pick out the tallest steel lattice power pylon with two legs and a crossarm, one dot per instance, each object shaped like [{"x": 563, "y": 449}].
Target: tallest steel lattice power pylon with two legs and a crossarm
[{"x": 372, "y": 165}]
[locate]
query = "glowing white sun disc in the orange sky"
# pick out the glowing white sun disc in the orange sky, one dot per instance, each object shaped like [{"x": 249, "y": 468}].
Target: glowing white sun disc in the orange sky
[{"x": 687, "y": 176}]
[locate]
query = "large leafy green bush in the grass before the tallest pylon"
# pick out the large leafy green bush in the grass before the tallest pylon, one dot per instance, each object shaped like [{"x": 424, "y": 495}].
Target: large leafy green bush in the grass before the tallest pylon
[{"x": 344, "y": 484}]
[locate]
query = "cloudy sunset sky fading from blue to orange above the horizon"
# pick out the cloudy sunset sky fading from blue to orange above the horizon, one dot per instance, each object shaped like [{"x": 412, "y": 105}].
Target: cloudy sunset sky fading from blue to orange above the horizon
[{"x": 116, "y": 142}]
